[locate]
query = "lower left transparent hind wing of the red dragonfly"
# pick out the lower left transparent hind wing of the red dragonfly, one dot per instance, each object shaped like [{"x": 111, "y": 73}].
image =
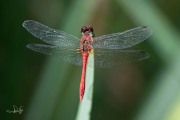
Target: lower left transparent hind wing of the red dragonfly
[{"x": 69, "y": 55}]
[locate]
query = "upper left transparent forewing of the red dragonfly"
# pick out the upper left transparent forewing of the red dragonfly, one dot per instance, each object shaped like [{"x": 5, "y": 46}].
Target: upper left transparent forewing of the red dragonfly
[{"x": 51, "y": 36}]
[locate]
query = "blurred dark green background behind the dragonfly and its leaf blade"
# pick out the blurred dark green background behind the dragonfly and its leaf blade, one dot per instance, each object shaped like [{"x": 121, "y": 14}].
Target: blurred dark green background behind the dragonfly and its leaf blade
[{"x": 48, "y": 88}]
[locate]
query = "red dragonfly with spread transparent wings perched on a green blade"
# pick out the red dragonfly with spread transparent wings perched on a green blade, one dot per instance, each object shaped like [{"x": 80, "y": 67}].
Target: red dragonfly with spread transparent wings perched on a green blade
[{"x": 108, "y": 50}]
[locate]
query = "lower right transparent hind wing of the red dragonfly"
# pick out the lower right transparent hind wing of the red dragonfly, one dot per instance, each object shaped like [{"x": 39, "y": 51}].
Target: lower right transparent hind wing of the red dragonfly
[{"x": 109, "y": 58}]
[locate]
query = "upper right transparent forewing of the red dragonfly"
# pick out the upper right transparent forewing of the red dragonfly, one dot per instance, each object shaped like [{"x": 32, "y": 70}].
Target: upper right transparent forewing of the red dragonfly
[{"x": 122, "y": 40}]
